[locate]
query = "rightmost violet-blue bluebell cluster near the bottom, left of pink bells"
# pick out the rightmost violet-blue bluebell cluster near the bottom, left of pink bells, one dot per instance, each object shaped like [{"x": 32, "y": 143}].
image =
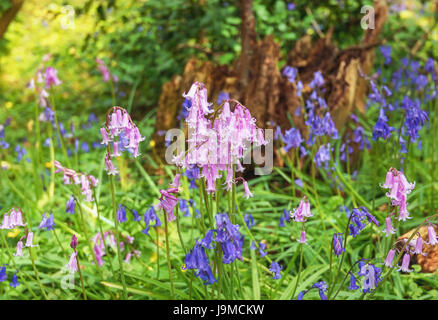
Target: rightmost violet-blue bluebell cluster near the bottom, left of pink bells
[{"x": 367, "y": 278}]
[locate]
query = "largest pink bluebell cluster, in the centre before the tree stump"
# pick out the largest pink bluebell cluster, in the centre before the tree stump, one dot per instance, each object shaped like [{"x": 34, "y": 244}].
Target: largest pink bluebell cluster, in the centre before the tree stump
[{"x": 217, "y": 140}]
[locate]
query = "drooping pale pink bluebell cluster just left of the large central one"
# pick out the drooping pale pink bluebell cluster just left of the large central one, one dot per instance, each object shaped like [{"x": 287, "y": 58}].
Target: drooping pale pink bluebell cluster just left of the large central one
[{"x": 122, "y": 133}]
